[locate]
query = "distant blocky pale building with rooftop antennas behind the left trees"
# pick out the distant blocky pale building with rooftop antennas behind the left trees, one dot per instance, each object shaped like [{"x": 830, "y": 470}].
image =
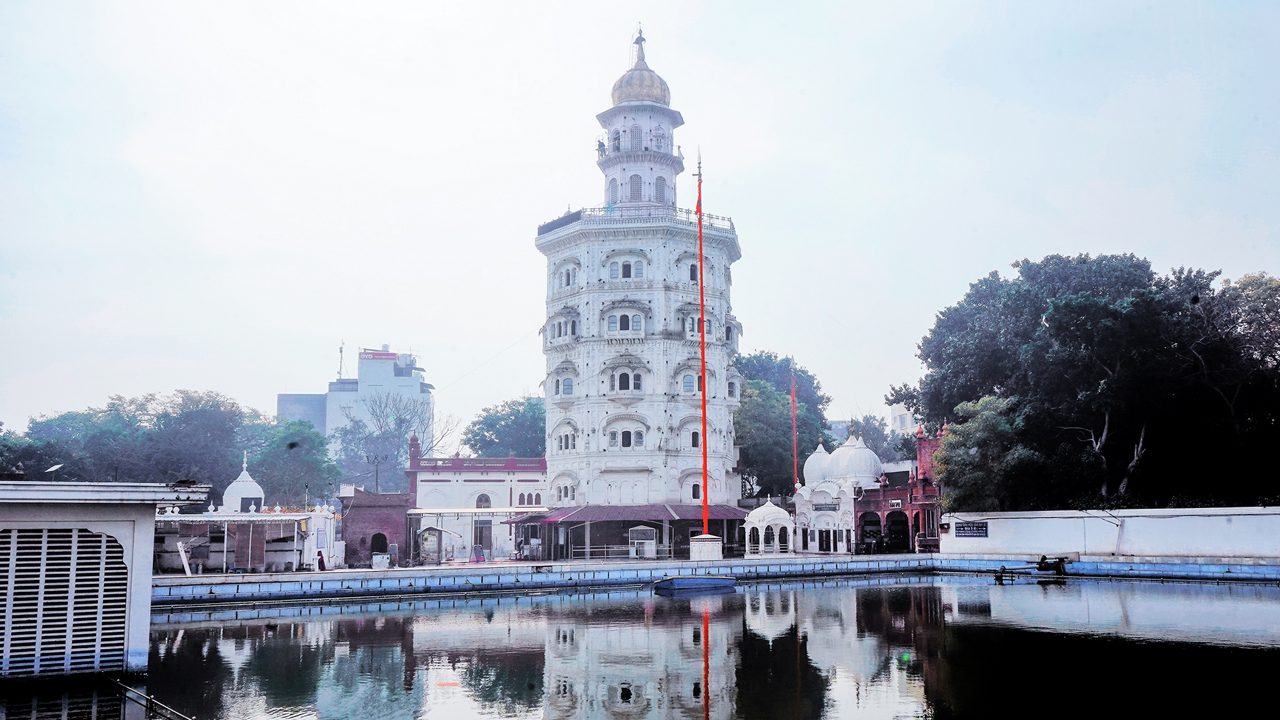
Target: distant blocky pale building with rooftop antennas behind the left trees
[{"x": 380, "y": 373}]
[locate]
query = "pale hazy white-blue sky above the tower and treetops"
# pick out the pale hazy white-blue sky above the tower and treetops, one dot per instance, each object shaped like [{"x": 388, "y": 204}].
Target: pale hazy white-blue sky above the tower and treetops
[{"x": 214, "y": 195}]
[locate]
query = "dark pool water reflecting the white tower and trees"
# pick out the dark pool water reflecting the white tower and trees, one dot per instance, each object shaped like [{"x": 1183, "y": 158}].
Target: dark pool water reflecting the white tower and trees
[{"x": 881, "y": 648}]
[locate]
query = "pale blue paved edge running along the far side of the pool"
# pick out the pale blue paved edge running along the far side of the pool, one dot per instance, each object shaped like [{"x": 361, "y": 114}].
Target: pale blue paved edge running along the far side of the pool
[{"x": 177, "y": 590}]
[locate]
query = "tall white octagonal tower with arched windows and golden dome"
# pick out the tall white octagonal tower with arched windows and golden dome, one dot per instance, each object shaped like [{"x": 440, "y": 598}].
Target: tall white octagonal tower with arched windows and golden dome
[{"x": 621, "y": 334}]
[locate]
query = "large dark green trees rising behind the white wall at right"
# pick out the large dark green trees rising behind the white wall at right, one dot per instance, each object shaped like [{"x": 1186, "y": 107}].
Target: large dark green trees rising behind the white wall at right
[{"x": 1110, "y": 370}]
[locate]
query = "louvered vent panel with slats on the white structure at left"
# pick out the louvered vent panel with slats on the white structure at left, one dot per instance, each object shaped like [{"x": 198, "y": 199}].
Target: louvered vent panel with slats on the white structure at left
[{"x": 65, "y": 601}]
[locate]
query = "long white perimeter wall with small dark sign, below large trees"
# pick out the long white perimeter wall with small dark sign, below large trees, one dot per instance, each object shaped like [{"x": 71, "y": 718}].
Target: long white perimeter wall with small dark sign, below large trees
[{"x": 1218, "y": 532}]
